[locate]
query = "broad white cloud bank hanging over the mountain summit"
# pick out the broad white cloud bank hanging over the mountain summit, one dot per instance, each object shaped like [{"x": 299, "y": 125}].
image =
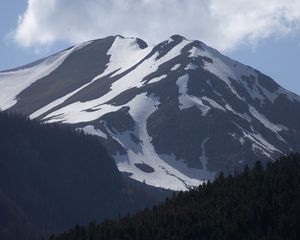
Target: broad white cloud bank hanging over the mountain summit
[{"x": 222, "y": 24}]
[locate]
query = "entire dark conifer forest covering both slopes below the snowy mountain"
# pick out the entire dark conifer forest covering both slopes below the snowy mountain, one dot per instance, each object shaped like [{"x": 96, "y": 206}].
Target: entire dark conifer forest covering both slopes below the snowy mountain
[{"x": 52, "y": 178}]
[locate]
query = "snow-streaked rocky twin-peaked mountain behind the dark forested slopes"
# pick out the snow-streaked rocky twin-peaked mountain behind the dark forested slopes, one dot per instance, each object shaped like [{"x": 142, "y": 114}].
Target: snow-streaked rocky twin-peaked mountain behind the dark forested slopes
[{"x": 172, "y": 115}]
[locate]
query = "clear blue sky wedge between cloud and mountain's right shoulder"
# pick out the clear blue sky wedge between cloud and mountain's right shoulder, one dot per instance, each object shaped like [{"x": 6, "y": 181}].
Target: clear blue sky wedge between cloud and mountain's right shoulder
[{"x": 277, "y": 58}]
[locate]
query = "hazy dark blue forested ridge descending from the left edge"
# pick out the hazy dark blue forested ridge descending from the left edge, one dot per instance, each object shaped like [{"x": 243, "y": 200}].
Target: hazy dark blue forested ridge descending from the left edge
[{"x": 52, "y": 178}]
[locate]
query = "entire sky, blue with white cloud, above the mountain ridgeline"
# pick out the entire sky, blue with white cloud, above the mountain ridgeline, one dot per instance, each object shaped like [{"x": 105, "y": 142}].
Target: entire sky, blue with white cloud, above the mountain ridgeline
[{"x": 264, "y": 34}]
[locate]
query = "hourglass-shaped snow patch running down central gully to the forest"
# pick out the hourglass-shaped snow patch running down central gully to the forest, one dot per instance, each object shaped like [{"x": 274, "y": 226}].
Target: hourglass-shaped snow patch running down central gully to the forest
[{"x": 164, "y": 175}]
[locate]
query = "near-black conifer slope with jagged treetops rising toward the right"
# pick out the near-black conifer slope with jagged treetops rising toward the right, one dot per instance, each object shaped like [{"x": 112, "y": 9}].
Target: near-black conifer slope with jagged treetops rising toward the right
[{"x": 259, "y": 204}]
